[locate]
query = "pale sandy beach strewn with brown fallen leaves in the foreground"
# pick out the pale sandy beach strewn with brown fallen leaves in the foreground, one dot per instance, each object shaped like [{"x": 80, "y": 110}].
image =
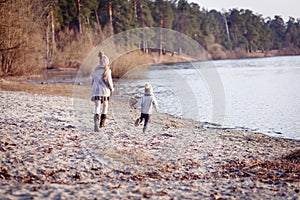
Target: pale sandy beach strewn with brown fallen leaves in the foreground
[{"x": 48, "y": 150}]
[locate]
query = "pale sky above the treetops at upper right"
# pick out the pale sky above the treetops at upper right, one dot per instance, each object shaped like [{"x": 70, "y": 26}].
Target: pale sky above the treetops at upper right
[{"x": 266, "y": 8}]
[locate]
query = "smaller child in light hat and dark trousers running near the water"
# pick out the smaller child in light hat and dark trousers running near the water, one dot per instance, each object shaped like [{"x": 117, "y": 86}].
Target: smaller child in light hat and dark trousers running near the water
[{"x": 146, "y": 102}]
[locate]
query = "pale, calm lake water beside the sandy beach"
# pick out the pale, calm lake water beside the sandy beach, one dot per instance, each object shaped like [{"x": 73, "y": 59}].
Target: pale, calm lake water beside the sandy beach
[{"x": 260, "y": 95}]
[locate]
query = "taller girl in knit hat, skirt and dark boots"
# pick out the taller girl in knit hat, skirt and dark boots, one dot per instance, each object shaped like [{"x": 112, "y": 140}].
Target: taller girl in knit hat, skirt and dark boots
[{"x": 102, "y": 88}]
